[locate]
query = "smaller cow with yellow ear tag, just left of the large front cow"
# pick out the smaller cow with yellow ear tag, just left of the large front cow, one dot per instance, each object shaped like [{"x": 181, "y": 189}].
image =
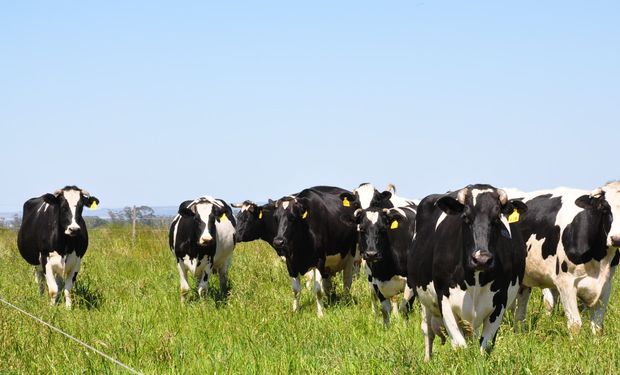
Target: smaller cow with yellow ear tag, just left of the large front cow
[{"x": 384, "y": 239}]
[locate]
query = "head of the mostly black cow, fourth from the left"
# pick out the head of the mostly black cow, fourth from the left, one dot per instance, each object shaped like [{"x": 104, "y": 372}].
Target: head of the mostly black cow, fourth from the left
[{"x": 290, "y": 215}]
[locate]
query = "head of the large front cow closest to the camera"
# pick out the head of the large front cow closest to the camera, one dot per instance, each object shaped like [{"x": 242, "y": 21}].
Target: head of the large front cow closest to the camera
[{"x": 483, "y": 210}]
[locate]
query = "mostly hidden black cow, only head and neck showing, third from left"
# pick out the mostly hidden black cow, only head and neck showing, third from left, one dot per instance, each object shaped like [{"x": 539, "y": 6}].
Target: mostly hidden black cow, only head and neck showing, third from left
[{"x": 256, "y": 222}]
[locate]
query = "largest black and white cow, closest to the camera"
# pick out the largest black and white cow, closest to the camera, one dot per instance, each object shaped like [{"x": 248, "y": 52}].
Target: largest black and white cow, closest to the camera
[{"x": 466, "y": 263}]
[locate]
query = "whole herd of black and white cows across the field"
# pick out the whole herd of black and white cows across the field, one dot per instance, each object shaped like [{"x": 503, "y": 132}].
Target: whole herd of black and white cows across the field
[{"x": 467, "y": 255}]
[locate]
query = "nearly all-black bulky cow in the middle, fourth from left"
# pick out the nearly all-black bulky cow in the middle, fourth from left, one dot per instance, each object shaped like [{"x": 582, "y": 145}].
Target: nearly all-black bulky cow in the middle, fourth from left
[{"x": 314, "y": 240}]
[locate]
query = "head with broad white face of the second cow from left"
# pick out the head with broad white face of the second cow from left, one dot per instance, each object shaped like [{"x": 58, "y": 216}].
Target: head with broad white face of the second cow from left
[{"x": 205, "y": 211}]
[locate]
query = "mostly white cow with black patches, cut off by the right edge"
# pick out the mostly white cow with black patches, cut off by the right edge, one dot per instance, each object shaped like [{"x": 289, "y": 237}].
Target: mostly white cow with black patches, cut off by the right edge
[{"x": 572, "y": 248}]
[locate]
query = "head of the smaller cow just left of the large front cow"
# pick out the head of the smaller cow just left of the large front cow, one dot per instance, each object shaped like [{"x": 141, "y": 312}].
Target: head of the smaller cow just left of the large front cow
[{"x": 373, "y": 225}]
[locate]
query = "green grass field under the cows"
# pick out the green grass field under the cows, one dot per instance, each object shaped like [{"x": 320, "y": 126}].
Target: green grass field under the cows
[{"x": 127, "y": 305}]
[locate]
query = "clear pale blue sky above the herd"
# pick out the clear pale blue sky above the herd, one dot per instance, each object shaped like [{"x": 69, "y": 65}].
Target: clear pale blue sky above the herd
[{"x": 157, "y": 102}]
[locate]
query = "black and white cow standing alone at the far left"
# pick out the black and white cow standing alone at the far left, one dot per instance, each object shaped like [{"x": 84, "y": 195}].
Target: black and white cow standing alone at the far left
[{"x": 53, "y": 238}]
